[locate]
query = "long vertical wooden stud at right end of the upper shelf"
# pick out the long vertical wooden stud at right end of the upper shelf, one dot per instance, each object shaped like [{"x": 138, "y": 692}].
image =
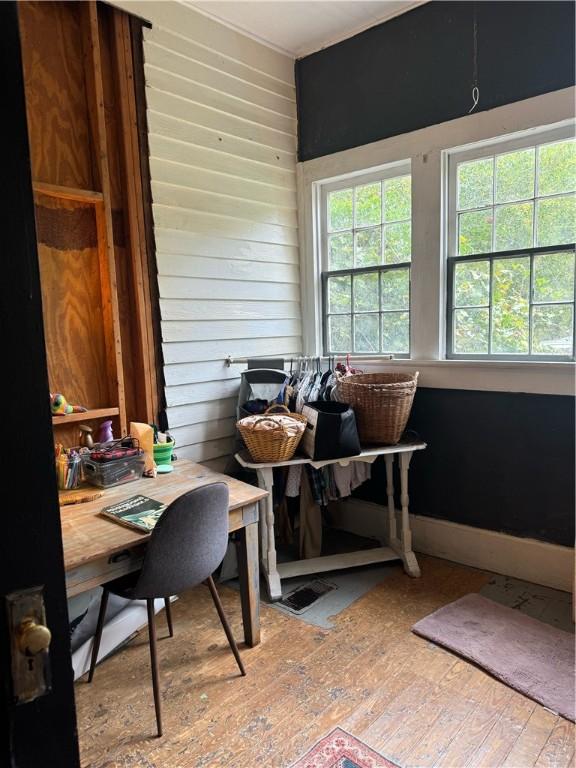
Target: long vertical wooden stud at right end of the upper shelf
[{"x": 110, "y": 311}]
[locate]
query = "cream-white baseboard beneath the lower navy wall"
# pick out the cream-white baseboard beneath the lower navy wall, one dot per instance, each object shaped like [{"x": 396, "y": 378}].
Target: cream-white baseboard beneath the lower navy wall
[{"x": 551, "y": 565}]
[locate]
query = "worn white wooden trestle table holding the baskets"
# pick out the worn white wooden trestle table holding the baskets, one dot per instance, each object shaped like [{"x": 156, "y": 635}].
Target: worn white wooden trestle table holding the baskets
[{"x": 399, "y": 544}]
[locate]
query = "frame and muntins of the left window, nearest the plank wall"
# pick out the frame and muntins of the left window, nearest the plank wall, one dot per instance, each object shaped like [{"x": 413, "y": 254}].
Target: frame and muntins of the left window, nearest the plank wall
[{"x": 389, "y": 171}]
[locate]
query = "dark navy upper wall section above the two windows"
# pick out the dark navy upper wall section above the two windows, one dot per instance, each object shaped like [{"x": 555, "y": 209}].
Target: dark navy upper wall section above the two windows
[{"x": 418, "y": 70}]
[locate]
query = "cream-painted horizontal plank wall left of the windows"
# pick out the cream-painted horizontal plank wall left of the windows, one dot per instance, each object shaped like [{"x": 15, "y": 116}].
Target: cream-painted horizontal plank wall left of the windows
[{"x": 221, "y": 112}]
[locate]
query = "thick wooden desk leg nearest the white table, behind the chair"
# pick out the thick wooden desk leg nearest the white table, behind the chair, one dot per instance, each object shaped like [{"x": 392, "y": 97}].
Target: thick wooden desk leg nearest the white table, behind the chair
[{"x": 249, "y": 576}]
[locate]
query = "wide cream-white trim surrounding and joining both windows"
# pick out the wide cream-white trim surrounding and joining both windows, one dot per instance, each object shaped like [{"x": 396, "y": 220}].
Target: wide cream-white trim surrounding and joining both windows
[{"x": 427, "y": 149}]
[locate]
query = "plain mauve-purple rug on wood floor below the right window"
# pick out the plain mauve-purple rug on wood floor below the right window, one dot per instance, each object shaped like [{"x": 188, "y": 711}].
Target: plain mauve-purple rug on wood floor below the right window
[{"x": 526, "y": 654}]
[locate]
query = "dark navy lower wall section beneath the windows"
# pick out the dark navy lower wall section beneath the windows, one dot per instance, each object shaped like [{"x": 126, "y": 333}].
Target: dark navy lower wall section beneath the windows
[{"x": 496, "y": 460}]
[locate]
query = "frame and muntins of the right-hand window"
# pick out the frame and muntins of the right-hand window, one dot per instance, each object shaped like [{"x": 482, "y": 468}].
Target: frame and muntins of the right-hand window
[{"x": 491, "y": 148}]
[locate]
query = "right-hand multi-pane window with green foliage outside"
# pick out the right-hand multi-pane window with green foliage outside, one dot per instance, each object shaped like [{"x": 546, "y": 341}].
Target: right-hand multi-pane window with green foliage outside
[{"x": 511, "y": 234}]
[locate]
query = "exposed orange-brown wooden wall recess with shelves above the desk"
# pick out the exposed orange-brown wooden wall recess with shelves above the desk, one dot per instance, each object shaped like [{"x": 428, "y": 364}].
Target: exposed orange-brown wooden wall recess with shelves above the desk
[{"x": 94, "y": 251}]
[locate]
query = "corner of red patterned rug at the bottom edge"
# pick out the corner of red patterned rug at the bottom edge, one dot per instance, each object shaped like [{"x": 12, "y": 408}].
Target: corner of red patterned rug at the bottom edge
[{"x": 342, "y": 750}]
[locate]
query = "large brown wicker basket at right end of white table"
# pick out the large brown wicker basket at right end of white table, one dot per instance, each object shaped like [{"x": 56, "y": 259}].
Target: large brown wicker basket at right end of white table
[{"x": 381, "y": 402}]
